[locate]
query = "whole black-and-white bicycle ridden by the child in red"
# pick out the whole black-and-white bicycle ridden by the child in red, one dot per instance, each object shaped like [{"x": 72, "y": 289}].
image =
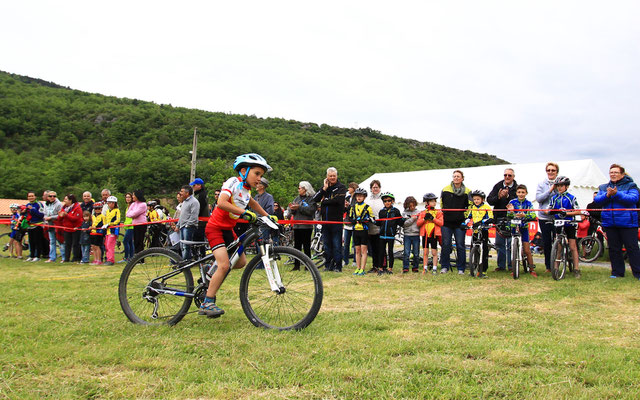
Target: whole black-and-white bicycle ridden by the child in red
[{"x": 156, "y": 286}]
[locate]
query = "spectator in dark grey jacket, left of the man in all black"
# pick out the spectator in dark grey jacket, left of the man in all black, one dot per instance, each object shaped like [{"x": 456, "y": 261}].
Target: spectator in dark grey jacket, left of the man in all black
[{"x": 303, "y": 208}]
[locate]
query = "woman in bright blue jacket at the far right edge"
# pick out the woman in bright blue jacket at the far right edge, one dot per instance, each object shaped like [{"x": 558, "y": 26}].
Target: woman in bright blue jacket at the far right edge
[{"x": 621, "y": 226}]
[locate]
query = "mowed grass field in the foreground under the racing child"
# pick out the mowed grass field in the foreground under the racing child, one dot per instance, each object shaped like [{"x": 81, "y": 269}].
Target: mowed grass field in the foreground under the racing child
[{"x": 63, "y": 335}]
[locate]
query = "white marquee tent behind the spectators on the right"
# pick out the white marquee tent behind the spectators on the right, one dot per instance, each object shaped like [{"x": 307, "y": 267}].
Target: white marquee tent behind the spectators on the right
[{"x": 584, "y": 174}]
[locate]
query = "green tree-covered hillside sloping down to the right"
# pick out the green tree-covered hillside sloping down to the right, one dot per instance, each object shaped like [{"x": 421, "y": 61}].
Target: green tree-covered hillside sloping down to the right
[{"x": 69, "y": 140}]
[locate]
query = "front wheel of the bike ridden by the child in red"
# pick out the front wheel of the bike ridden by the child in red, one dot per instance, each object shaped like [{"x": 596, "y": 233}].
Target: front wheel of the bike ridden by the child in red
[{"x": 296, "y": 307}]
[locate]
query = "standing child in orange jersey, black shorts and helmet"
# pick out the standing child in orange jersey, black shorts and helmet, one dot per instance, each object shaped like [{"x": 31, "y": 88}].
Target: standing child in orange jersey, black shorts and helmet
[{"x": 430, "y": 221}]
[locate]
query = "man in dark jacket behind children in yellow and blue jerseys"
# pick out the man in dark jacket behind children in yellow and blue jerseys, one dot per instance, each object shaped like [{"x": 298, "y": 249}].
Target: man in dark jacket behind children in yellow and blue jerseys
[{"x": 501, "y": 194}]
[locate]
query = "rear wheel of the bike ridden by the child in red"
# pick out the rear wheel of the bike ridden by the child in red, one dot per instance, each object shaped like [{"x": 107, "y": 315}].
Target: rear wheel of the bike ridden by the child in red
[{"x": 140, "y": 301}]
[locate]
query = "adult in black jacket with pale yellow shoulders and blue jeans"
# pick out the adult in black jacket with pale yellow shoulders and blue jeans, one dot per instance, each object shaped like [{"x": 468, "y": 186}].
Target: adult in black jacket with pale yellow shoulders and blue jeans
[{"x": 454, "y": 196}]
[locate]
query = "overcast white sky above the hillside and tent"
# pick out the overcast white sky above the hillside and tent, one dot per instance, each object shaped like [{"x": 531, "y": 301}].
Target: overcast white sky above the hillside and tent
[{"x": 527, "y": 81}]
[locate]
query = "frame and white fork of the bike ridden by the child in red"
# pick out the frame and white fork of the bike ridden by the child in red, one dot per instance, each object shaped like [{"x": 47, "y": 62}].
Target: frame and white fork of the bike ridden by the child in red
[{"x": 238, "y": 246}]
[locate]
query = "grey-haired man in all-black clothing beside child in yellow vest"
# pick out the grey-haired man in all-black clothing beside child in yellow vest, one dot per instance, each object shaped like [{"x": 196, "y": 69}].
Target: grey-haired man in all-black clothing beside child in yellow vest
[{"x": 331, "y": 198}]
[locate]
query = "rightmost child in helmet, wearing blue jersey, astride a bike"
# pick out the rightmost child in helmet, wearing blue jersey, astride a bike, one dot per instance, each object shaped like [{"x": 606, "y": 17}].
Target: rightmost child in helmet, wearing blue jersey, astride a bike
[{"x": 560, "y": 206}]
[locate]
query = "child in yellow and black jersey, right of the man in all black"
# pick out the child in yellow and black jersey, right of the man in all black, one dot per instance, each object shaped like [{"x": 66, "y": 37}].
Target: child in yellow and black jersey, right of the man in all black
[{"x": 359, "y": 214}]
